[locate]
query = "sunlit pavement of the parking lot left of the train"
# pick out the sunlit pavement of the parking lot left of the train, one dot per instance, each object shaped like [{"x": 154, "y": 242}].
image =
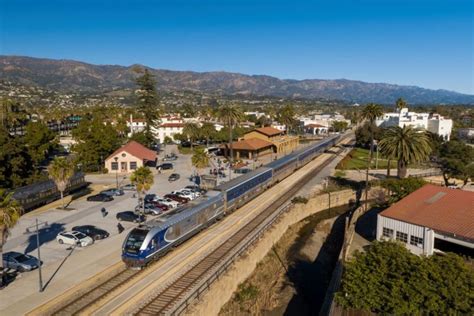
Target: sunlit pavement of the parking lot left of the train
[{"x": 63, "y": 265}]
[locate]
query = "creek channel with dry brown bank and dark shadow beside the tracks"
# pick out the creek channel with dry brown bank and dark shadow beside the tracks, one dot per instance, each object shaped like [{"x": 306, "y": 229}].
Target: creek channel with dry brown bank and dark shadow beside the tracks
[{"x": 297, "y": 269}]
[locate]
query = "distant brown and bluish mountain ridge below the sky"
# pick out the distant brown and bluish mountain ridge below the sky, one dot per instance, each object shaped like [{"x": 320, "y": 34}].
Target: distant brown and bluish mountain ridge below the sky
[{"x": 69, "y": 75}]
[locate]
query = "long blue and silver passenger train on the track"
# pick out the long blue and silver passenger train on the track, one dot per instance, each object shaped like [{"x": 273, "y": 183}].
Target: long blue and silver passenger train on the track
[{"x": 153, "y": 239}]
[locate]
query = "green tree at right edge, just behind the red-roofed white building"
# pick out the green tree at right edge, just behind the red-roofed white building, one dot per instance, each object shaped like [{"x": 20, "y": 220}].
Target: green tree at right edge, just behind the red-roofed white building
[{"x": 456, "y": 160}]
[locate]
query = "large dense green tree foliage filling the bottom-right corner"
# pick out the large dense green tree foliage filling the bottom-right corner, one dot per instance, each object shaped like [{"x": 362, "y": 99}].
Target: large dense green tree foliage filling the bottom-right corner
[{"x": 388, "y": 280}]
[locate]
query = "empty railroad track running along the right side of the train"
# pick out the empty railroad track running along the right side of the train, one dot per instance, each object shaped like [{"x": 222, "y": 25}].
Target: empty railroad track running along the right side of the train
[{"x": 165, "y": 301}]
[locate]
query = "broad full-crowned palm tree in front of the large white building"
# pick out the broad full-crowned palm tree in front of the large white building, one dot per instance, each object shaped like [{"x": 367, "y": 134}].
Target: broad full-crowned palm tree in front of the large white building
[{"x": 407, "y": 145}]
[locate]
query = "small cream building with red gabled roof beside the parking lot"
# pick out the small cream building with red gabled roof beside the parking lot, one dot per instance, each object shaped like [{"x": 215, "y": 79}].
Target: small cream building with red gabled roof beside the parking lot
[{"x": 130, "y": 157}]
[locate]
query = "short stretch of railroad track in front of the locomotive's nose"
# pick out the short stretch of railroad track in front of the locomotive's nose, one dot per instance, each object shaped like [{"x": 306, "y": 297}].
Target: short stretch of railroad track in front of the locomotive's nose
[{"x": 77, "y": 305}]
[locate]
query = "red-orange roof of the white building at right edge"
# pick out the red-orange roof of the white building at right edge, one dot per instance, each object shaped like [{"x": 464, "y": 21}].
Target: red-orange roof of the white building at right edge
[{"x": 442, "y": 209}]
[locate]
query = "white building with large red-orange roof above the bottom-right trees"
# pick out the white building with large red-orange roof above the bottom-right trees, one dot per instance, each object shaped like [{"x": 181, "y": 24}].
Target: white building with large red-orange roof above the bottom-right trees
[{"x": 431, "y": 219}]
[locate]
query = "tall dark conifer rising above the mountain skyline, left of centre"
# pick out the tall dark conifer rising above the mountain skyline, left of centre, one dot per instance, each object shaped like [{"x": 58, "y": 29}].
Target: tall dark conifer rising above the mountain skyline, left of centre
[{"x": 148, "y": 103}]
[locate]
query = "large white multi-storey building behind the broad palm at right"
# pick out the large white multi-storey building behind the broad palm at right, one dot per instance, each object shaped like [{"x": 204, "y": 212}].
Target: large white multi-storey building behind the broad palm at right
[{"x": 434, "y": 123}]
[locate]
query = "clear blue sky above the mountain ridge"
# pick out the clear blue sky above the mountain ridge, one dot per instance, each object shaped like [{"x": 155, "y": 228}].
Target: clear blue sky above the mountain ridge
[{"x": 428, "y": 43}]
